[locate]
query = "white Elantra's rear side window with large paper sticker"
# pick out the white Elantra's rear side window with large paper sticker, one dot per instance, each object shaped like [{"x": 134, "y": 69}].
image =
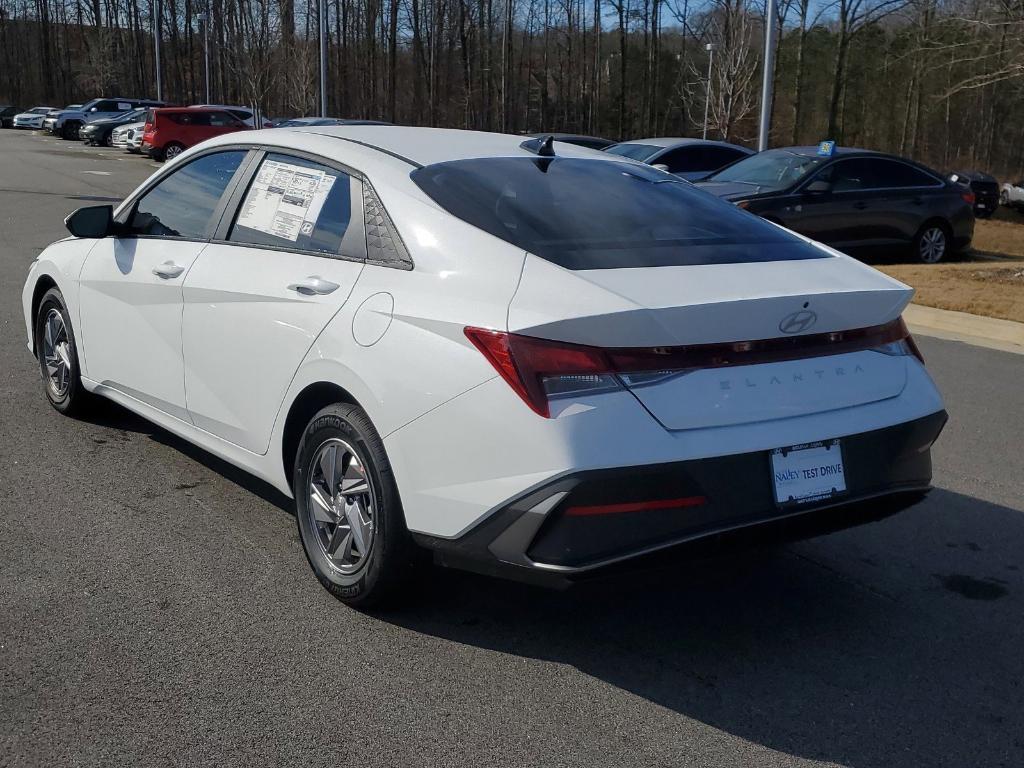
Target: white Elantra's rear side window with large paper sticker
[{"x": 298, "y": 204}]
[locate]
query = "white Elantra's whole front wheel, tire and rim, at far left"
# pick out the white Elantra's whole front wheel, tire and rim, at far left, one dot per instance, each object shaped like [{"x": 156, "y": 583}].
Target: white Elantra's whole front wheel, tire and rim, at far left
[{"x": 58, "y": 358}]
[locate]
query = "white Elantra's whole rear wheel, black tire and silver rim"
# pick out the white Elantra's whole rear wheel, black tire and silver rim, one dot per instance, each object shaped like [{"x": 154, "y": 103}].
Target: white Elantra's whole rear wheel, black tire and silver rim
[{"x": 360, "y": 565}]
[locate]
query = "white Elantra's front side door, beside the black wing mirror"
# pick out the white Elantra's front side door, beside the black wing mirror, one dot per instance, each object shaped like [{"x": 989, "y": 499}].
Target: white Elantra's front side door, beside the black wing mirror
[{"x": 131, "y": 286}]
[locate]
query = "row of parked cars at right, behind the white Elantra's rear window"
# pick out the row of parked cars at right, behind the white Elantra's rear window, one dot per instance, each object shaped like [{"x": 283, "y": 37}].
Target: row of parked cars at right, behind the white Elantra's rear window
[{"x": 846, "y": 198}]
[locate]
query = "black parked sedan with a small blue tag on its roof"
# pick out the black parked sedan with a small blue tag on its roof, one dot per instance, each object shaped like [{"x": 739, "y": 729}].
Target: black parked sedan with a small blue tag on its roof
[{"x": 852, "y": 199}]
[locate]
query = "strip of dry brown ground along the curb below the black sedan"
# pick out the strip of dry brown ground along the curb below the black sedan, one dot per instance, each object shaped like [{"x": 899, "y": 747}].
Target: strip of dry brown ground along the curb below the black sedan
[{"x": 995, "y": 289}]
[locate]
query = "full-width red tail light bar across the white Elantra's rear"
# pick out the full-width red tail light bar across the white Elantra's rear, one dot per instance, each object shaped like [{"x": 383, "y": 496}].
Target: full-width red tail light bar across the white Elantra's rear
[{"x": 540, "y": 370}]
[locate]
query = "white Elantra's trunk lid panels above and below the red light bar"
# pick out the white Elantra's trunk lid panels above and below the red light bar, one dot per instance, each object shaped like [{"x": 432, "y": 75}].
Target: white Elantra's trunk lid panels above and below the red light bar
[{"x": 719, "y": 304}]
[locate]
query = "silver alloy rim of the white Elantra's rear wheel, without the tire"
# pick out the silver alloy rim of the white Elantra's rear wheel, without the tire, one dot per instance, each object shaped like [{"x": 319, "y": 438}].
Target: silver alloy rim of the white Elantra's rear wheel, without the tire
[{"x": 340, "y": 505}]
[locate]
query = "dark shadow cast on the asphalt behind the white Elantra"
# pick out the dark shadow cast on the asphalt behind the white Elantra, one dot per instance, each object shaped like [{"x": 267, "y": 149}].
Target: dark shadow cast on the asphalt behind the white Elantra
[{"x": 899, "y": 644}]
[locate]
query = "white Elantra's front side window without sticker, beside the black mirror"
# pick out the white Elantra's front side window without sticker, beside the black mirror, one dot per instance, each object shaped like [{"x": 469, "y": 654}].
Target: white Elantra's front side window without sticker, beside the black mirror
[{"x": 183, "y": 204}]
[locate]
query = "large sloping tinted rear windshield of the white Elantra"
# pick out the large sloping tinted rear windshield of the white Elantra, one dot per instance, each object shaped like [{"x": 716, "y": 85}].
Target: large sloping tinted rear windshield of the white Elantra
[{"x": 595, "y": 215}]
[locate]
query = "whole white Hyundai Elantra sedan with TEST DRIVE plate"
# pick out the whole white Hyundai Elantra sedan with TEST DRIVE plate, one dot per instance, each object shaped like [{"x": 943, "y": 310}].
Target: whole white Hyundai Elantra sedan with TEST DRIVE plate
[{"x": 524, "y": 358}]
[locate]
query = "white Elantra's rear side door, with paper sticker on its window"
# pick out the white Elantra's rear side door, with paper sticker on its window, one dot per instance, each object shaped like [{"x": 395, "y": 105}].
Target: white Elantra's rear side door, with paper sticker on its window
[{"x": 288, "y": 254}]
